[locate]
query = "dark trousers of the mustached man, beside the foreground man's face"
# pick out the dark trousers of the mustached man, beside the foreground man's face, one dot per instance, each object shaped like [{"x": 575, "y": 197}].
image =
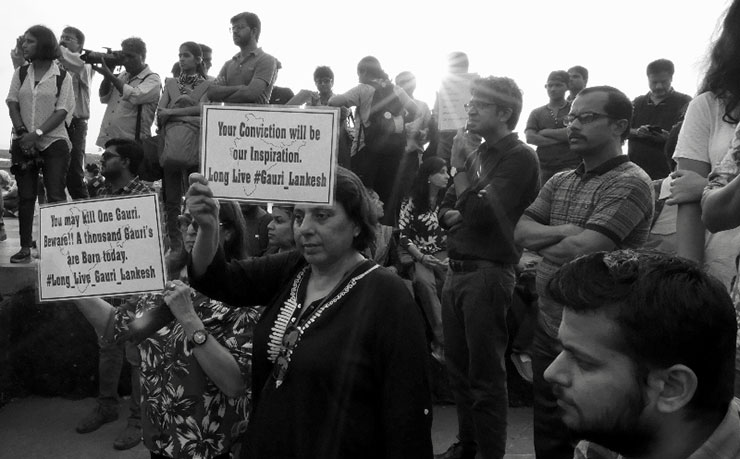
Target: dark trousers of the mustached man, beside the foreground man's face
[{"x": 551, "y": 436}]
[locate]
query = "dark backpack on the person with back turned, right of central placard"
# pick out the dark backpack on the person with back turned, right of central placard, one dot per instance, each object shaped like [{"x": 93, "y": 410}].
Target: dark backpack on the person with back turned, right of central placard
[{"x": 382, "y": 134}]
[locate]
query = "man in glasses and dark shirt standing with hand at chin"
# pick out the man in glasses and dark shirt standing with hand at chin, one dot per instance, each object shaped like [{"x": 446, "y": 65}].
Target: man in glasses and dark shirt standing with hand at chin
[{"x": 498, "y": 181}]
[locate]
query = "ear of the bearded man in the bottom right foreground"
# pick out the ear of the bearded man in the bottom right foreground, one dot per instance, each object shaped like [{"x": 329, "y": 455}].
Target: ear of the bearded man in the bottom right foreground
[{"x": 672, "y": 387}]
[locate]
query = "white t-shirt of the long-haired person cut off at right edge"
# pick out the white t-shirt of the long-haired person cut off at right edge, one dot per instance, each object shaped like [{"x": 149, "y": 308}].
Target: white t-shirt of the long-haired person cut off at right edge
[{"x": 706, "y": 137}]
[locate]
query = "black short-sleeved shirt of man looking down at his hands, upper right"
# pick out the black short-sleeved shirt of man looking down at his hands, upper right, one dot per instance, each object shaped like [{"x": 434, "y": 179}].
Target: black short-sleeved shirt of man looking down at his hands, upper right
[{"x": 648, "y": 153}]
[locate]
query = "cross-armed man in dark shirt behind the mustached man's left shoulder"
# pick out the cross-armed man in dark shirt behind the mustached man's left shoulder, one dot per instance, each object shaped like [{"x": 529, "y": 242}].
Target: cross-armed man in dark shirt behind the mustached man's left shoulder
[{"x": 546, "y": 129}]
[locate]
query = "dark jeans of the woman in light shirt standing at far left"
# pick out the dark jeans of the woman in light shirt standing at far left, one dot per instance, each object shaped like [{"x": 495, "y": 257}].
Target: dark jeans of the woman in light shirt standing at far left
[{"x": 54, "y": 168}]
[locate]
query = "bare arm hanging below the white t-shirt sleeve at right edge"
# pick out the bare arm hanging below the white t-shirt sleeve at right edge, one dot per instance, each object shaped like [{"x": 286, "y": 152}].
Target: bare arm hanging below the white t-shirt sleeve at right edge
[{"x": 689, "y": 226}]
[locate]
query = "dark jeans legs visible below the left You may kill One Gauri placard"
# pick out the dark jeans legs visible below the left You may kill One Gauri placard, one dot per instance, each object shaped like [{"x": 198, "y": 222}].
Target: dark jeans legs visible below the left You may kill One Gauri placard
[{"x": 109, "y": 372}]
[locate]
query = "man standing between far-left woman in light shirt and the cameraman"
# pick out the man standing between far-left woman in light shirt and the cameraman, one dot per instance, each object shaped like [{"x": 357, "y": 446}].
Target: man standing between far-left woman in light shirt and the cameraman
[{"x": 71, "y": 43}]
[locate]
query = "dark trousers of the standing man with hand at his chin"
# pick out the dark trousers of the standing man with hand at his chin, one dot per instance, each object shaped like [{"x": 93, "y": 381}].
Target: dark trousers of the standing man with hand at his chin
[{"x": 474, "y": 307}]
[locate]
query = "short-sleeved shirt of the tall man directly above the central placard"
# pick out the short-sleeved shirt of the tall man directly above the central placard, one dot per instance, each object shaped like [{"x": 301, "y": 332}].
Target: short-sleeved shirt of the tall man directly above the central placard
[{"x": 241, "y": 70}]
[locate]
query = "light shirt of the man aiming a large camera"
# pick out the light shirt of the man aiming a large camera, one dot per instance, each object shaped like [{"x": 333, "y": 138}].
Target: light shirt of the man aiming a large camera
[{"x": 122, "y": 110}]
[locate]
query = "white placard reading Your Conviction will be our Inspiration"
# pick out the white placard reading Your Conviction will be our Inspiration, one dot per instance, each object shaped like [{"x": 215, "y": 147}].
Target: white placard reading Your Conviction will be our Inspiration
[{"x": 265, "y": 153}]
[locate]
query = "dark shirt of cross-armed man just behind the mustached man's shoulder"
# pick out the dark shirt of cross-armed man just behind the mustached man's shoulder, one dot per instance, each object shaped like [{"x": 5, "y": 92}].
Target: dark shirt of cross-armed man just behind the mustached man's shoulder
[{"x": 558, "y": 157}]
